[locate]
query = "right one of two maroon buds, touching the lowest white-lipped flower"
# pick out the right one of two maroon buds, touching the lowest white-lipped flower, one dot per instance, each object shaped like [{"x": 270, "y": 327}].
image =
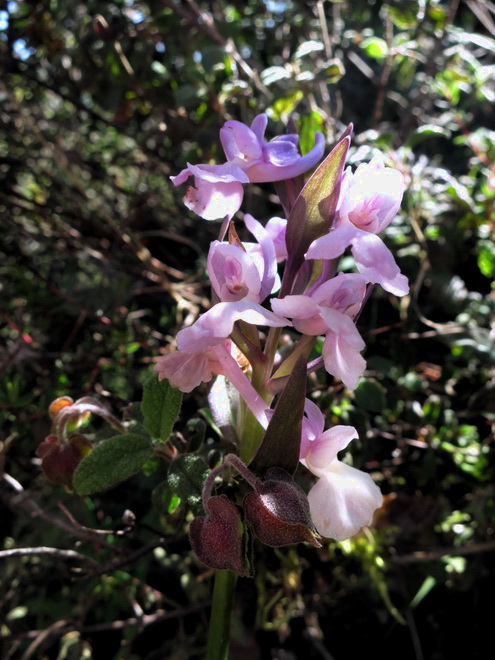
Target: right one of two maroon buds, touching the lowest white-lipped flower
[{"x": 278, "y": 511}]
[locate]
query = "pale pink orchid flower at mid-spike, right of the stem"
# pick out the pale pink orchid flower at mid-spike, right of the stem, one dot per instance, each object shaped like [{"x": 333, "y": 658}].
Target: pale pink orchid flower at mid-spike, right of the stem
[{"x": 329, "y": 310}]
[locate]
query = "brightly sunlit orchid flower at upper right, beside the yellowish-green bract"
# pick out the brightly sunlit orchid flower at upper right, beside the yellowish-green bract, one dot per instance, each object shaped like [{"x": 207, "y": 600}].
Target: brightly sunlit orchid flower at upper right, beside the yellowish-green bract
[{"x": 369, "y": 200}]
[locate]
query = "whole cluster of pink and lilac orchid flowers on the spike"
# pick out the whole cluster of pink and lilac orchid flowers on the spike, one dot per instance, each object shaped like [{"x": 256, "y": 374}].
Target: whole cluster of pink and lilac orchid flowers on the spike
[{"x": 313, "y": 299}]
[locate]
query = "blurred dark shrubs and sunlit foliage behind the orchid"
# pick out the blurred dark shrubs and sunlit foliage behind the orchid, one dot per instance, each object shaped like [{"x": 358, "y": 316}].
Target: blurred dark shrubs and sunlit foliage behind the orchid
[{"x": 100, "y": 264}]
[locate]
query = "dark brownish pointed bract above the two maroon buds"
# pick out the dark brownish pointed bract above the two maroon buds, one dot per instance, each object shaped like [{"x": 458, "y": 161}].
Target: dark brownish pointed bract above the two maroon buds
[{"x": 281, "y": 443}]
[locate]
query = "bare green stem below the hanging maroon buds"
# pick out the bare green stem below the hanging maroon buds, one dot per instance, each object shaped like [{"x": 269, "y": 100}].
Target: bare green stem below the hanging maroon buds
[{"x": 221, "y": 613}]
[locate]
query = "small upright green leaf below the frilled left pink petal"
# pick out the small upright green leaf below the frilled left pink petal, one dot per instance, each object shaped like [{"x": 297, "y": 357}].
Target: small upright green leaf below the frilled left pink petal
[{"x": 160, "y": 407}]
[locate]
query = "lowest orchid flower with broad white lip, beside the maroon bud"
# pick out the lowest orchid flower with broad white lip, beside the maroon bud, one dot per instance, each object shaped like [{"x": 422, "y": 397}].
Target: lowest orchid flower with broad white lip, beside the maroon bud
[{"x": 344, "y": 499}]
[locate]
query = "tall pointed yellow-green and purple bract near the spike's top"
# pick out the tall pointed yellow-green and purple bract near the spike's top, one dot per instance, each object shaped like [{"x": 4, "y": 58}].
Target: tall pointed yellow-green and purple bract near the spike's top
[{"x": 314, "y": 209}]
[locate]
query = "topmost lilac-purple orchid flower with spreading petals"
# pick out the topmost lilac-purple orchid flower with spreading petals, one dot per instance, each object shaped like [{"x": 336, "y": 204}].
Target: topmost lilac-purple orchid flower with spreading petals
[{"x": 218, "y": 191}]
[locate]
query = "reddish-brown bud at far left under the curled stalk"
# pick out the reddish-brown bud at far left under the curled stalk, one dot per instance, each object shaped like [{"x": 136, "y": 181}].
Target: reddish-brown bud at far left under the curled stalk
[{"x": 60, "y": 459}]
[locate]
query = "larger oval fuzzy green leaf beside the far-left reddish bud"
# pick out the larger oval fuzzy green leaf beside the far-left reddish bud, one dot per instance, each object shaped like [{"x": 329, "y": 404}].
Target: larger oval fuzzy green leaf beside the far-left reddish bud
[{"x": 112, "y": 461}]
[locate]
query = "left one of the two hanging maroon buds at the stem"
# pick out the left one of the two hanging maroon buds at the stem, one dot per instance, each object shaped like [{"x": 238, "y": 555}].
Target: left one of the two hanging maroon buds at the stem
[{"x": 219, "y": 539}]
